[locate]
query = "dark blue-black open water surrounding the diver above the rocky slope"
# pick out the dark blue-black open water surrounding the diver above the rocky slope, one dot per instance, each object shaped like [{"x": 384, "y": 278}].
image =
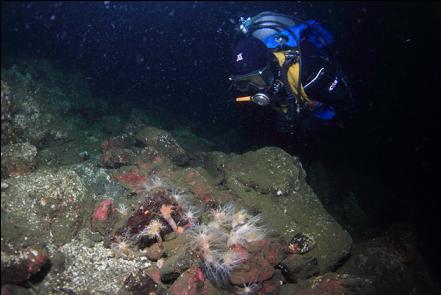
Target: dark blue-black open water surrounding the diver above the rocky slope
[{"x": 177, "y": 55}]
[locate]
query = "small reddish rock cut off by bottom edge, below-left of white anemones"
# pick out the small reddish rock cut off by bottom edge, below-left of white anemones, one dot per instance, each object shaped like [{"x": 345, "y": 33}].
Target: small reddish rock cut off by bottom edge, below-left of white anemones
[{"x": 191, "y": 282}]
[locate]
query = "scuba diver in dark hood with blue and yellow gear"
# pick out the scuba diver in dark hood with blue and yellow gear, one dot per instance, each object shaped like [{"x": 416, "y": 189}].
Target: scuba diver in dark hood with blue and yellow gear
[{"x": 287, "y": 64}]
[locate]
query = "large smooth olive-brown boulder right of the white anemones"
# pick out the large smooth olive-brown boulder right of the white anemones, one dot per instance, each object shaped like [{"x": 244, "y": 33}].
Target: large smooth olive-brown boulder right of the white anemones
[{"x": 271, "y": 181}]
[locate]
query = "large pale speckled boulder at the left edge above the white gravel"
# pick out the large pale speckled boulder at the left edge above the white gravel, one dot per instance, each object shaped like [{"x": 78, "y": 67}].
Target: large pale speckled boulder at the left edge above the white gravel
[{"x": 44, "y": 207}]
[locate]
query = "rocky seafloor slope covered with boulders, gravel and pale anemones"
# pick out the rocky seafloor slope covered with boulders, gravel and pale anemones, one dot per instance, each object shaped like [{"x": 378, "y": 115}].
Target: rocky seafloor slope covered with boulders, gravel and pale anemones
[{"x": 93, "y": 202}]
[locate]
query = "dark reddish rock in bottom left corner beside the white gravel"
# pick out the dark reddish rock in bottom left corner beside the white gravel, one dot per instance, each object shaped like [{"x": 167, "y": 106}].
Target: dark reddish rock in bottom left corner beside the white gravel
[{"x": 18, "y": 266}]
